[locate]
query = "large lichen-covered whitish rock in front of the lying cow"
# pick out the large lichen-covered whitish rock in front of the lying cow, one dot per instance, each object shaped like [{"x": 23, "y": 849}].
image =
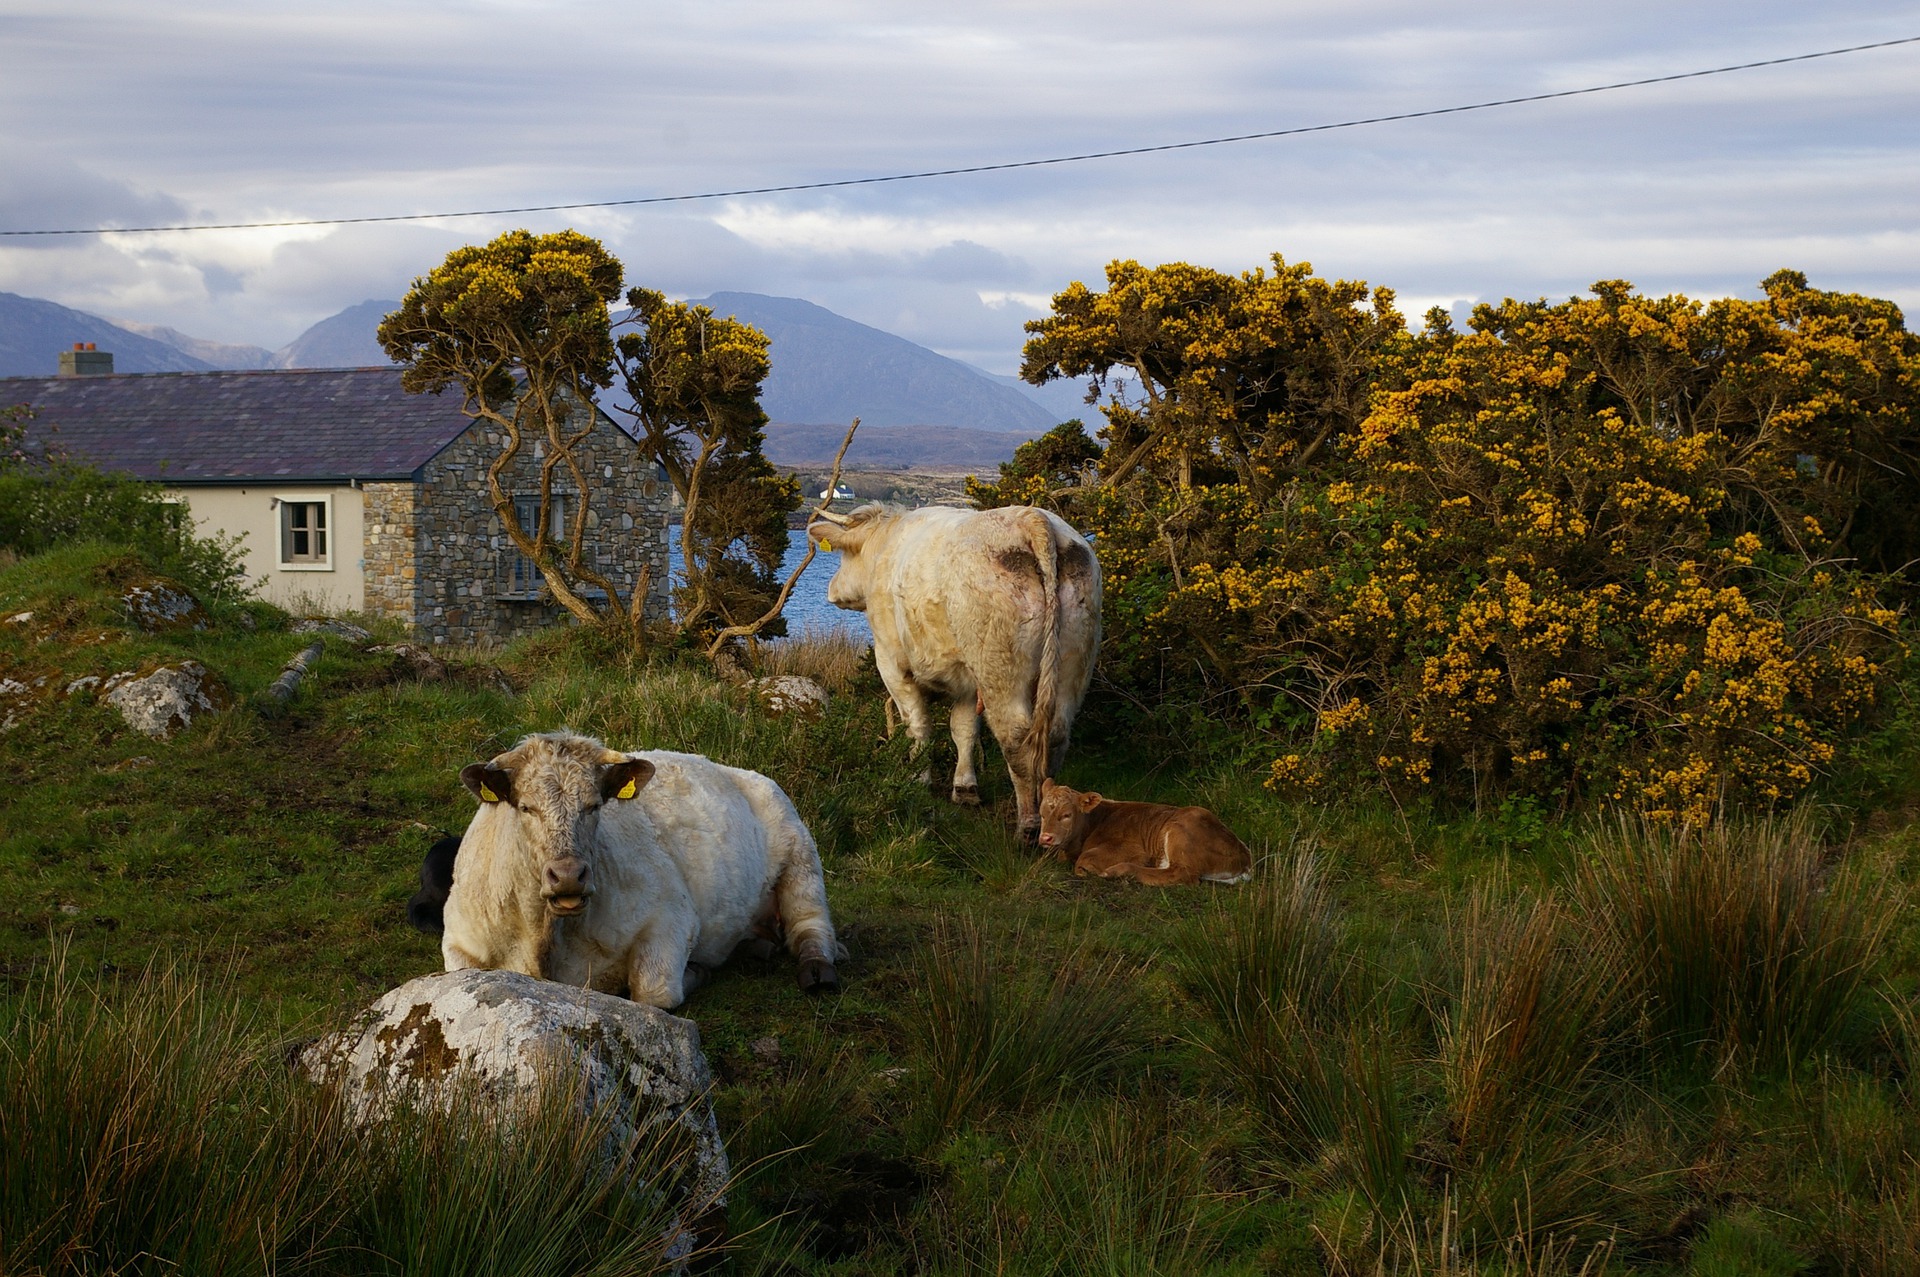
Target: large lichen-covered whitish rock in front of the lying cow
[{"x": 508, "y": 1034}]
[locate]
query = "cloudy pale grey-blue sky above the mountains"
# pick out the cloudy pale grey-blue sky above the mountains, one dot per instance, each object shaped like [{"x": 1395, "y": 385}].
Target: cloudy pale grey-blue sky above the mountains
[{"x": 137, "y": 112}]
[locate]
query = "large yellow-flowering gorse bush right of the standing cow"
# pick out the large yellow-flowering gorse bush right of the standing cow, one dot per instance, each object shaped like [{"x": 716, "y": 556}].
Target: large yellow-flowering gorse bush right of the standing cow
[{"x": 1579, "y": 552}]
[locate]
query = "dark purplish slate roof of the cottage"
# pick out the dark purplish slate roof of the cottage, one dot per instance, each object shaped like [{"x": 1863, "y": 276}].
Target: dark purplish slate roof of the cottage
[{"x": 285, "y": 425}]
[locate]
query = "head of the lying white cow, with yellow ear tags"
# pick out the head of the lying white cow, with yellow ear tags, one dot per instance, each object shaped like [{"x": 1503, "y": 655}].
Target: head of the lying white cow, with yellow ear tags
[{"x": 556, "y": 786}]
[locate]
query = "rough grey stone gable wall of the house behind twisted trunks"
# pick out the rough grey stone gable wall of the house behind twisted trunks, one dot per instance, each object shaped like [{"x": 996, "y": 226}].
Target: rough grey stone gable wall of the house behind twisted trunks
[{"x": 462, "y": 552}]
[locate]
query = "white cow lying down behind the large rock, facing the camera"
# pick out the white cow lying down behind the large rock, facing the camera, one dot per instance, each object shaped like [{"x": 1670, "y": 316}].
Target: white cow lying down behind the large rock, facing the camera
[{"x": 631, "y": 873}]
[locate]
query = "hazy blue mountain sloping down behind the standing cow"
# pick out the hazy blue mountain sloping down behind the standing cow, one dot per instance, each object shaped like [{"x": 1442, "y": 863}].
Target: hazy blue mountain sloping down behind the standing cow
[{"x": 830, "y": 370}]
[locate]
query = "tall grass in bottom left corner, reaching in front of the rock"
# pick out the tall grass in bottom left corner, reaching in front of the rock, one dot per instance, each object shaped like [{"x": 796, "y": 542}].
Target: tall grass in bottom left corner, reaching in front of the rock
[{"x": 151, "y": 1126}]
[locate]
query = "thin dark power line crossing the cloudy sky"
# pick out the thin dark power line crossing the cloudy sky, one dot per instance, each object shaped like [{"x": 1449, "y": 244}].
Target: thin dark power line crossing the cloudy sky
[{"x": 990, "y": 168}]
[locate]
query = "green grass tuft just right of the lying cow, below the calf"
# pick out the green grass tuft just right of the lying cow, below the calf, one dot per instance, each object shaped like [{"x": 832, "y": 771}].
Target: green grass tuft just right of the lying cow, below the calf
[{"x": 996, "y": 1042}]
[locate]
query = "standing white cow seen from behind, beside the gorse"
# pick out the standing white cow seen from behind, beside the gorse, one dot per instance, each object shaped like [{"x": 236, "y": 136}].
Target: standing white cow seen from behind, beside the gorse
[{"x": 992, "y": 612}]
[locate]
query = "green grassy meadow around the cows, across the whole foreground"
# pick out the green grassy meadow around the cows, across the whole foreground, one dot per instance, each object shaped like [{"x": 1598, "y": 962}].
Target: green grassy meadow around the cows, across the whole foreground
[{"x": 1424, "y": 1040}]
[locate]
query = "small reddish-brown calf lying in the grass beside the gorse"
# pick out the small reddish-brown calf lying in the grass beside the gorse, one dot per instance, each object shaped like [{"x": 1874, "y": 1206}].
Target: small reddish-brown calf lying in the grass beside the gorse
[{"x": 1161, "y": 846}]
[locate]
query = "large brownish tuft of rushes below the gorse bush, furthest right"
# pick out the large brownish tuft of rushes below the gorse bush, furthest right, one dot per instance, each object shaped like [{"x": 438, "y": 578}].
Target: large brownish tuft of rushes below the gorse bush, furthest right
[{"x": 1746, "y": 952}]
